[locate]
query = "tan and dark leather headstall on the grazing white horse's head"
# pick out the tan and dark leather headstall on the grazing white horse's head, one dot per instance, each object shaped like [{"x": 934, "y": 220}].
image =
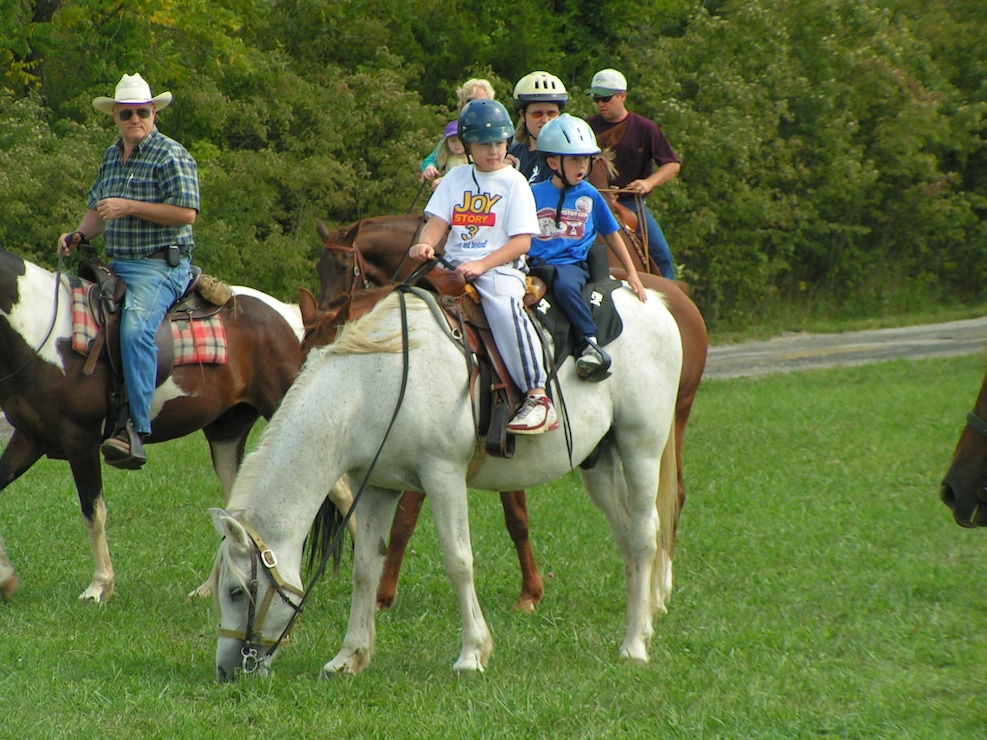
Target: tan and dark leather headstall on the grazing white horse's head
[{"x": 251, "y": 638}]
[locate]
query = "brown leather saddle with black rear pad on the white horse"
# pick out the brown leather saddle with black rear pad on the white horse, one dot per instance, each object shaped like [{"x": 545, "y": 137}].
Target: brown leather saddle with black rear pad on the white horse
[{"x": 498, "y": 396}]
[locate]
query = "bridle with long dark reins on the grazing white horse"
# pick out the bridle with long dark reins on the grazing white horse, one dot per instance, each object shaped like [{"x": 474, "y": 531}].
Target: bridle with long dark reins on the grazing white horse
[{"x": 252, "y": 641}]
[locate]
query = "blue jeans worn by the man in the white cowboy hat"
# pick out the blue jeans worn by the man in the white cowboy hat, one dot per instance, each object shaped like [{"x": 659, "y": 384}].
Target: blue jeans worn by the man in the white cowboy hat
[{"x": 152, "y": 288}]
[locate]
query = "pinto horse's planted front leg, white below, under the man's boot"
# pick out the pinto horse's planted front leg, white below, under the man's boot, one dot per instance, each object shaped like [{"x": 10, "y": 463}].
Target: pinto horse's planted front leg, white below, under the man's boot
[{"x": 89, "y": 484}]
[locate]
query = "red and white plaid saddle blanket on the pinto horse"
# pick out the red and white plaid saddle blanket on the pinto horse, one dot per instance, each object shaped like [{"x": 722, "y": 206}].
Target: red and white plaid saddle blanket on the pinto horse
[{"x": 197, "y": 341}]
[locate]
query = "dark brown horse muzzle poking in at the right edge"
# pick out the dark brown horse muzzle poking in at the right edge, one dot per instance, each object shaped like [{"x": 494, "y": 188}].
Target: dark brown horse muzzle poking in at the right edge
[{"x": 964, "y": 489}]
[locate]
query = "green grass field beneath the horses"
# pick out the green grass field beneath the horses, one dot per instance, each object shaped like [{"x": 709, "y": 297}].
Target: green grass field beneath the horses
[{"x": 821, "y": 590}]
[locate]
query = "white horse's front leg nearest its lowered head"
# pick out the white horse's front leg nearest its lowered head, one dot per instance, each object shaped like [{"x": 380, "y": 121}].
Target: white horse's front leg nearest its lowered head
[{"x": 375, "y": 511}]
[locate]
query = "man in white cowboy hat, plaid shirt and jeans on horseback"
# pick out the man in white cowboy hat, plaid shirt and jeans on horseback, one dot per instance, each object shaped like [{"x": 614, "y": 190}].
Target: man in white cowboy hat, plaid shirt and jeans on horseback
[{"x": 144, "y": 201}]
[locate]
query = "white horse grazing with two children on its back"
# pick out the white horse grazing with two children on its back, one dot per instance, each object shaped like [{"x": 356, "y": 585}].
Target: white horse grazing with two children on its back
[{"x": 333, "y": 420}]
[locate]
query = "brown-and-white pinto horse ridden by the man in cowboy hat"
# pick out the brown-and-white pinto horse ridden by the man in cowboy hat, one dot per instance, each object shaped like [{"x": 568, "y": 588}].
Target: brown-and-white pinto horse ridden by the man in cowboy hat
[{"x": 57, "y": 410}]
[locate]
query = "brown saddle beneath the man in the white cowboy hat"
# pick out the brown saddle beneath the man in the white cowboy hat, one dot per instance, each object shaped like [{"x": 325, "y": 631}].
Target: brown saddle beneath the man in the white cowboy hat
[{"x": 203, "y": 298}]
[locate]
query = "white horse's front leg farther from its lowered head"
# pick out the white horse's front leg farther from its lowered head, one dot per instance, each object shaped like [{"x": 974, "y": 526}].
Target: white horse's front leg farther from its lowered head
[{"x": 451, "y": 513}]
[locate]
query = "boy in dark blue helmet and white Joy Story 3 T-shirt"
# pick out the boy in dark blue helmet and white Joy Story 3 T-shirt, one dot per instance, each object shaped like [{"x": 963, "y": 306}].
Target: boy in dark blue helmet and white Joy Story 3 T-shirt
[{"x": 484, "y": 215}]
